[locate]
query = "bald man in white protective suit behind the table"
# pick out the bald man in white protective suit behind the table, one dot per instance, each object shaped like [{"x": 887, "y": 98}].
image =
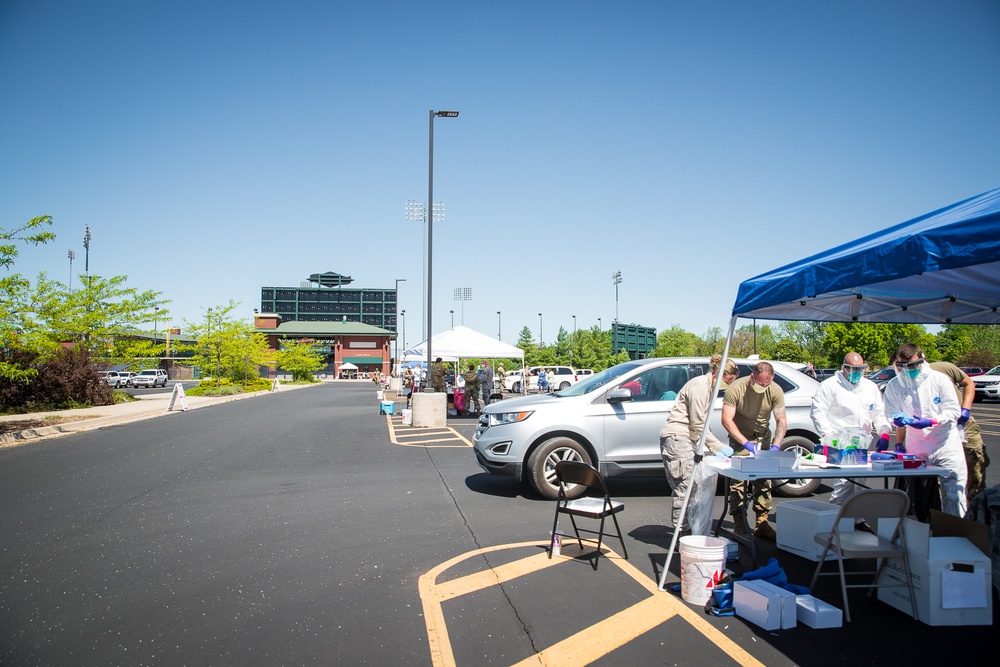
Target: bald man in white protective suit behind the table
[{"x": 849, "y": 401}]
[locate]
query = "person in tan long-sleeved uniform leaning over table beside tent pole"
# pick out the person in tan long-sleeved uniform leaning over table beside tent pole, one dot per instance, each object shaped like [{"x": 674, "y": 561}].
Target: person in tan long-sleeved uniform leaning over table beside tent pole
[{"x": 678, "y": 439}]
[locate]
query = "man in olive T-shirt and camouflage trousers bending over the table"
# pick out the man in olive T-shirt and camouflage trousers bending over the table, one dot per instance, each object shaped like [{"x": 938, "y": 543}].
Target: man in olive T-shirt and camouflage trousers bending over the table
[{"x": 747, "y": 408}]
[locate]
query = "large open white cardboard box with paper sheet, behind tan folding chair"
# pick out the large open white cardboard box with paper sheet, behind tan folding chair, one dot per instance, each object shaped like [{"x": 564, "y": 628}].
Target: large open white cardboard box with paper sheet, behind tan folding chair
[{"x": 951, "y": 578}]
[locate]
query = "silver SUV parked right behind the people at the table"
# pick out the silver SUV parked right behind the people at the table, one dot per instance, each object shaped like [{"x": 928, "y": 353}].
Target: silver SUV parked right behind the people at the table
[{"x": 612, "y": 420}]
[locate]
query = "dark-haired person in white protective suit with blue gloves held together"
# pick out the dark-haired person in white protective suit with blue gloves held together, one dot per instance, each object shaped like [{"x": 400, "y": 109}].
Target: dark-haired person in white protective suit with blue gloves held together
[{"x": 923, "y": 406}]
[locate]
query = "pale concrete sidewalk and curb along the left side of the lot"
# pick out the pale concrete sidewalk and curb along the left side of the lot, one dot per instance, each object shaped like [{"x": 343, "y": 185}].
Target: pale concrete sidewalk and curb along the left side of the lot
[{"x": 127, "y": 412}]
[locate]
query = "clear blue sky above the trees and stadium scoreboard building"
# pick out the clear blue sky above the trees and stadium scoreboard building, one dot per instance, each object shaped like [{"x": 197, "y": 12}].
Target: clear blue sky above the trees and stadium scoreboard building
[{"x": 217, "y": 147}]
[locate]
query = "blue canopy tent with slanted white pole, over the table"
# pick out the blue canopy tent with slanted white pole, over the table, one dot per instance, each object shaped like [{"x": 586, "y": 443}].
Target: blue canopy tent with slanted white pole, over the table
[{"x": 939, "y": 268}]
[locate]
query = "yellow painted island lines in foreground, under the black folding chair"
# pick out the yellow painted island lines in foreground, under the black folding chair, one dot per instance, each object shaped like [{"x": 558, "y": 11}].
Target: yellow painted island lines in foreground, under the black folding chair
[{"x": 583, "y": 647}]
